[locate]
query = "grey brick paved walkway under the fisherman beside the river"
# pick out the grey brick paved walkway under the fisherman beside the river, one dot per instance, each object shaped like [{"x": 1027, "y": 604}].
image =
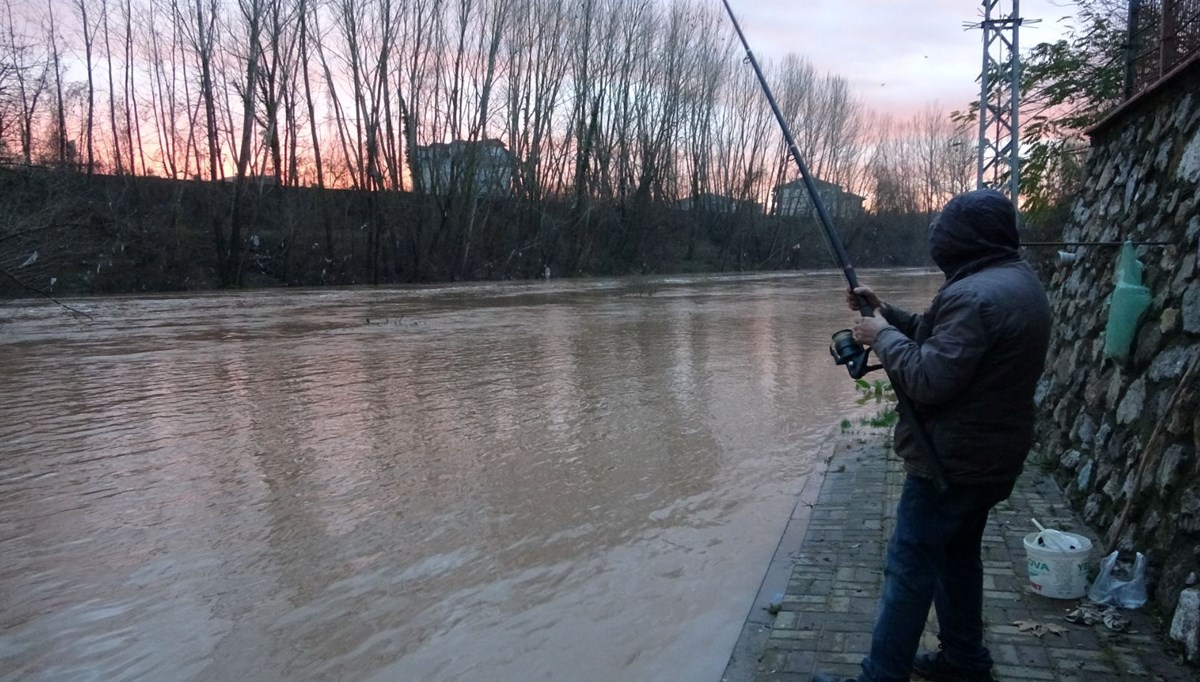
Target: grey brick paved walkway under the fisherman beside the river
[{"x": 829, "y": 608}]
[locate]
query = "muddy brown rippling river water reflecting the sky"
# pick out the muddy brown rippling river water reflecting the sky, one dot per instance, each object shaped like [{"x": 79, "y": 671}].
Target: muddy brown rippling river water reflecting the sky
[{"x": 554, "y": 481}]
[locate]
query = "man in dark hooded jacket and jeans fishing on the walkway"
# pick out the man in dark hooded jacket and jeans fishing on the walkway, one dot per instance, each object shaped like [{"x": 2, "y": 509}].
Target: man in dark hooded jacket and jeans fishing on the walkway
[{"x": 970, "y": 367}]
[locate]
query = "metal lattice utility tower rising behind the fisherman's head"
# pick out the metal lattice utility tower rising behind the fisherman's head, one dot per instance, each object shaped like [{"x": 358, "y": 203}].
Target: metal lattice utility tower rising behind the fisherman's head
[{"x": 1000, "y": 89}]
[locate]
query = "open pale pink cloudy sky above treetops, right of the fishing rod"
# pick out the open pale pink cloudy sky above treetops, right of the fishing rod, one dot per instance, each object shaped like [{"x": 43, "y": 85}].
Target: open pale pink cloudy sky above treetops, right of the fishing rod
[{"x": 897, "y": 55}]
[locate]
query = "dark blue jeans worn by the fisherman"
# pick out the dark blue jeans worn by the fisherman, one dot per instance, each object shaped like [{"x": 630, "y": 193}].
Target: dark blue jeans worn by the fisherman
[{"x": 934, "y": 558}]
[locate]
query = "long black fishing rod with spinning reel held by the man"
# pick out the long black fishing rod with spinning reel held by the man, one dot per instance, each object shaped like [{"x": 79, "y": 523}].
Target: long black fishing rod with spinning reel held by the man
[{"x": 844, "y": 349}]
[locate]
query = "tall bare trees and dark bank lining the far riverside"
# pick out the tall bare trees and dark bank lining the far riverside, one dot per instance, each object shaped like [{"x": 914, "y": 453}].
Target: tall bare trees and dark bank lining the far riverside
[{"x": 320, "y": 130}]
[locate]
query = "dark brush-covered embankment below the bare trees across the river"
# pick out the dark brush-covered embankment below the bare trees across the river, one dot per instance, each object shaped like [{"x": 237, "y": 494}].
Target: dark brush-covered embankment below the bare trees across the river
[{"x": 121, "y": 235}]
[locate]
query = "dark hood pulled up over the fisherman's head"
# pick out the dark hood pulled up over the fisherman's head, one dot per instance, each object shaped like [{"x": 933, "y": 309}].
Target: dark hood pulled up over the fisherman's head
[{"x": 975, "y": 231}]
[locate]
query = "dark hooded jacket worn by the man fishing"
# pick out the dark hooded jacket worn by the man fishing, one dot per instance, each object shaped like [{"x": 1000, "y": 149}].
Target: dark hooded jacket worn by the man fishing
[{"x": 971, "y": 363}]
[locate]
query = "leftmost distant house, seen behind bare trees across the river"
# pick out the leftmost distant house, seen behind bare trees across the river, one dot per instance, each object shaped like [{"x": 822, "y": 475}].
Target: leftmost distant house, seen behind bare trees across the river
[{"x": 445, "y": 167}]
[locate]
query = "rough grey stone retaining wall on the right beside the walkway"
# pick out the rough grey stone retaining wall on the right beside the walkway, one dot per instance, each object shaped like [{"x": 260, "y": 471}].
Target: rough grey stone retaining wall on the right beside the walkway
[{"x": 1123, "y": 439}]
